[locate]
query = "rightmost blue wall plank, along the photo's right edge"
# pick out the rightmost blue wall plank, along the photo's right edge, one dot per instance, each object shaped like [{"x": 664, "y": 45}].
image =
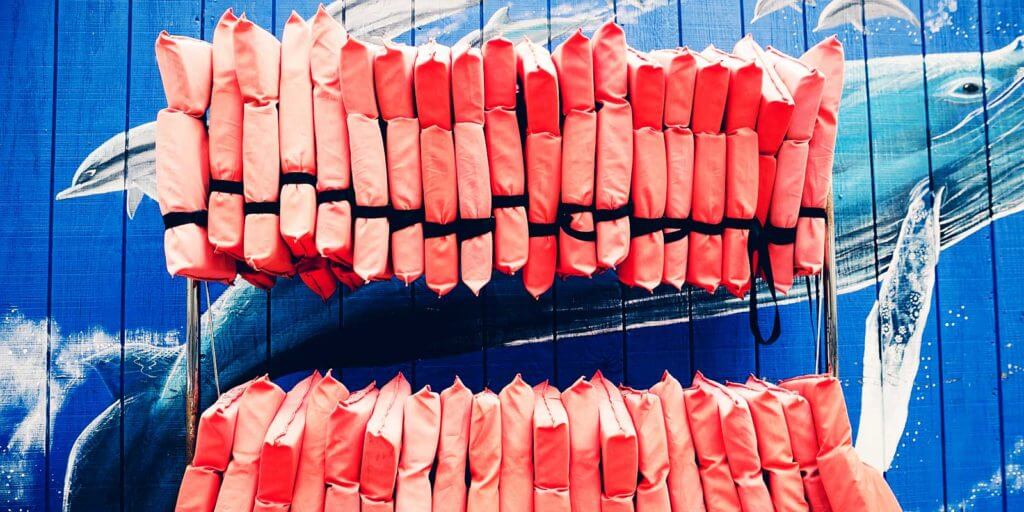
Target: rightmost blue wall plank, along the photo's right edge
[{"x": 1001, "y": 45}]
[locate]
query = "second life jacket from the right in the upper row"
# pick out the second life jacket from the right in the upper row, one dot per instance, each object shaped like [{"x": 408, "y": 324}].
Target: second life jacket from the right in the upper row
[{"x": 806, "y": 86}]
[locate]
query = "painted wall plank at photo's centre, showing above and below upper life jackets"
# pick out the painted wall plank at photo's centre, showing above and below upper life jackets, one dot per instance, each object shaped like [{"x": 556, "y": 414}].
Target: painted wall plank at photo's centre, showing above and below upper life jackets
[{"x": 511, "y": 350}]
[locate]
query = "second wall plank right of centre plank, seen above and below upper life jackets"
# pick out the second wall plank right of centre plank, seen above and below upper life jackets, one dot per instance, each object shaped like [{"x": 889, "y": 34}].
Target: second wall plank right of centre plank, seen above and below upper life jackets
[{"x": 657, "y": 330}]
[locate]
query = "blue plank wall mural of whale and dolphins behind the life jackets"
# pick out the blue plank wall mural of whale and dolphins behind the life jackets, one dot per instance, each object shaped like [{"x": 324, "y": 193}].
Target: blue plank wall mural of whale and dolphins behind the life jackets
[{"x": 929, "y": 180}]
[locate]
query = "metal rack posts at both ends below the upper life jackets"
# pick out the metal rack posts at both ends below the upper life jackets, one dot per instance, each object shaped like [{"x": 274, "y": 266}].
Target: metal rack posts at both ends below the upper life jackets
[{"x": 830, "y": 298}]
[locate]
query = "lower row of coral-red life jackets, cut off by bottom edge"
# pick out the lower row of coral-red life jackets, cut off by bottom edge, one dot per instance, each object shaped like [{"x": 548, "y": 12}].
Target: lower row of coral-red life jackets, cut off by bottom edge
[{"x": 754, "y": 447}]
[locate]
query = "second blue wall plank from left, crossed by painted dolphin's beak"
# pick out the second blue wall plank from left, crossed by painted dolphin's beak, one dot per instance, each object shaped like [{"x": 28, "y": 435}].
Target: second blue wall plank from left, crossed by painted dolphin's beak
[{"x": 88, "y": 252}]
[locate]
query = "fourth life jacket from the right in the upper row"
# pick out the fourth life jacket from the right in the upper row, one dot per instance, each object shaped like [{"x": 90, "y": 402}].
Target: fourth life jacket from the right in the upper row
[{"x": 741, "y": 168}]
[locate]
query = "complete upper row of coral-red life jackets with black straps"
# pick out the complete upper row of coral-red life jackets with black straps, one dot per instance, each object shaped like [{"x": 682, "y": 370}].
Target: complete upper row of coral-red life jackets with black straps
[{"x": 337, "y": 160}]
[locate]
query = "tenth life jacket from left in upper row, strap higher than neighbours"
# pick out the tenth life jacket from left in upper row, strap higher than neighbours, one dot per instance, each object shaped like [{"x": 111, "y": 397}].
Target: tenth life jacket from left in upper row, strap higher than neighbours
[{"x": 501, "y": 131}]
